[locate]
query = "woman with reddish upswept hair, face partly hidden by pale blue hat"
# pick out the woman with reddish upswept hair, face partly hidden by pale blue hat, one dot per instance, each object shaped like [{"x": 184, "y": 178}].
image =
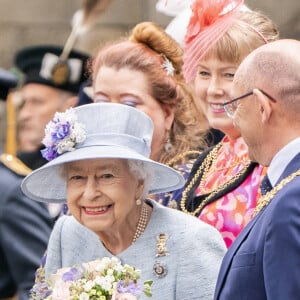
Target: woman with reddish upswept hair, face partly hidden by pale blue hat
[{"x": 145, "y": 71}]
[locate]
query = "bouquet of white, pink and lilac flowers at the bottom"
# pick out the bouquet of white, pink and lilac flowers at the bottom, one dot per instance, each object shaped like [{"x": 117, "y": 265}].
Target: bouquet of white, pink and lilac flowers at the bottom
[{"x": 102, "y": 279}]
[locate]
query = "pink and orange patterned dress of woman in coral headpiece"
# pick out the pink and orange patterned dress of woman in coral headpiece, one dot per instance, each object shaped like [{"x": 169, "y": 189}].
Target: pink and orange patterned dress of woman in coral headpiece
[{"x": 232, "y": 212}]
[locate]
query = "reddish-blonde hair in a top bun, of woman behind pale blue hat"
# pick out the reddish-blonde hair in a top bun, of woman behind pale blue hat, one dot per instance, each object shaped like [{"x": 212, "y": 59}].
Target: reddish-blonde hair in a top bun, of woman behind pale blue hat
[{"x": 145, "y": 50}]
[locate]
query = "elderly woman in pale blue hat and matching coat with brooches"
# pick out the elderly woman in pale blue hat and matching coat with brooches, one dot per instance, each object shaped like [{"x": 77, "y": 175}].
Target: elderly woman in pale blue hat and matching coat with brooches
[{"x": 99, "y": 162}]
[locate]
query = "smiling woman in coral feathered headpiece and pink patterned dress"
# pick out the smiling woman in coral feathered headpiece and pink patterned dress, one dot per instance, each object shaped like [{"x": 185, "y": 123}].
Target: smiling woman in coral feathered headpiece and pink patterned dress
[{"x": 223, "y": 186}]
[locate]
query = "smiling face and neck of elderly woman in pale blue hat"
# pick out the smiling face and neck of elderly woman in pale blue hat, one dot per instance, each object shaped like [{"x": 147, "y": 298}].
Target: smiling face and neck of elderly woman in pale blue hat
[{"x": 112, "y": 181}]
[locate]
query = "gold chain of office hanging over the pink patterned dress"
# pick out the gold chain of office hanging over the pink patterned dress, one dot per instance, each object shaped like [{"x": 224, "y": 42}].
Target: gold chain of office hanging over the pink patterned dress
[{"x": 204, "y": 168}]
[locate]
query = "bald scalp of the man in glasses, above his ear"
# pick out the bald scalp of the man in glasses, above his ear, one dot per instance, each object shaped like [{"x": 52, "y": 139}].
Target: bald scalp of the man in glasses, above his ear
[{"x": 273, "y": 67}]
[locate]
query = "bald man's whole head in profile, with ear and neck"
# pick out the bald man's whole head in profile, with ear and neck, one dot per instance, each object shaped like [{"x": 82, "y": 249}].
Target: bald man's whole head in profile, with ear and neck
[{"x": 268, "y": 123}]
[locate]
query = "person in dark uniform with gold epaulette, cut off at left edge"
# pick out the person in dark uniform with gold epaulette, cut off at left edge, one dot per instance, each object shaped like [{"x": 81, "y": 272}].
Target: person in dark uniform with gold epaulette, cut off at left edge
[{"x": 25, "y": 224}]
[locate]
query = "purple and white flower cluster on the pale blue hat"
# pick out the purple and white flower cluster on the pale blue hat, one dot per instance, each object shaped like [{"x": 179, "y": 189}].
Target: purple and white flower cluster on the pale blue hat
[{"x": 62, "y": 134}]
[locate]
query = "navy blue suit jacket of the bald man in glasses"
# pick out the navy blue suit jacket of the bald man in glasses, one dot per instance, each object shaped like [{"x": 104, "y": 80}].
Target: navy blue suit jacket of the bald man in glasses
[{"x": 264, "y": 261}]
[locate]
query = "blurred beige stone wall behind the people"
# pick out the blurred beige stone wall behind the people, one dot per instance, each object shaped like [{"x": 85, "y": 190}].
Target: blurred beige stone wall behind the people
[{"x": 31, "y": 22}]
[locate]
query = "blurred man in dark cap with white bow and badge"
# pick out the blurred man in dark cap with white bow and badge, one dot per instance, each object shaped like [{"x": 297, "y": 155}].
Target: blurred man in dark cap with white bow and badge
[{"x": 52, "y": 83}]
